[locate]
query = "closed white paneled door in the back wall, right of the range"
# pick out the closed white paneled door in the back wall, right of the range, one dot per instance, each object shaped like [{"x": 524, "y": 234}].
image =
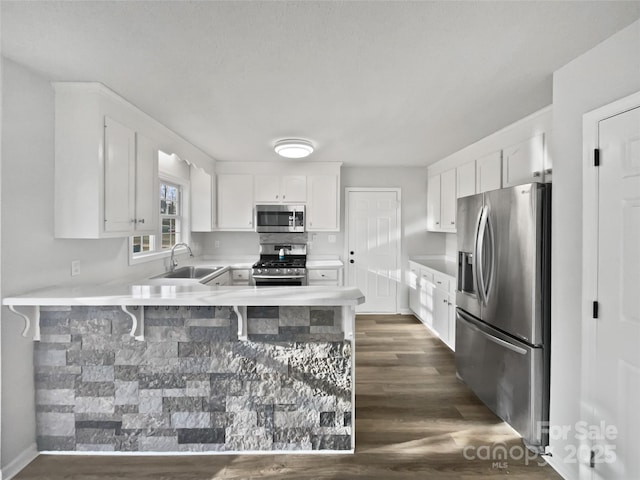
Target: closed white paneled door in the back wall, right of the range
[{"x": 373, "y": 220}]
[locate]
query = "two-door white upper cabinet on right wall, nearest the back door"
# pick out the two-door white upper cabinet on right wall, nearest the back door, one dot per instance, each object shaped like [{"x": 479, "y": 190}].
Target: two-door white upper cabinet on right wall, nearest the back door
[{"x": 442, "y": 202}]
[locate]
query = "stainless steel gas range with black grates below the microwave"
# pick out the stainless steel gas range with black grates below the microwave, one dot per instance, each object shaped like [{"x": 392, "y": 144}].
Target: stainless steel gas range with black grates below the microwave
[{"x": 275, "y": 269}]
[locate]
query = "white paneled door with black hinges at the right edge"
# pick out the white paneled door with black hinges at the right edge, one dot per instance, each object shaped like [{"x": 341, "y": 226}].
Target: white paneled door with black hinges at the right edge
[{"x": 617, "y": 360}]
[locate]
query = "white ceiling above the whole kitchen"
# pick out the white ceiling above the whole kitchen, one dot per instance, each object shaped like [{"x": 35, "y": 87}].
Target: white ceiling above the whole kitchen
[{"x": 380, "y": 83}]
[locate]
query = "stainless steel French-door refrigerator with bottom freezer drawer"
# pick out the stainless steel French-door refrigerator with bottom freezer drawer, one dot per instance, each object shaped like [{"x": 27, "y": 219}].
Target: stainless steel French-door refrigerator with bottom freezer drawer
[{"x": 503, "y": 304}]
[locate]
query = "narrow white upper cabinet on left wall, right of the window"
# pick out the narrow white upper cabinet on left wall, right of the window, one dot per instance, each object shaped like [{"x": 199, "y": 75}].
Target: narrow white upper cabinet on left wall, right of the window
[{"x": 203, "y": 200}]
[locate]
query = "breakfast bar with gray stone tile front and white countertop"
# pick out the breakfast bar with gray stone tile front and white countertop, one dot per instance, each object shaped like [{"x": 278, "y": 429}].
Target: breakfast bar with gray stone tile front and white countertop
[{"x": 192, "y": 368}]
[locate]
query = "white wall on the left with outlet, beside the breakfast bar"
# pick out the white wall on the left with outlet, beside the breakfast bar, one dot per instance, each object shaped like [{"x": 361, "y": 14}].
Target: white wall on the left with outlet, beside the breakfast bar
[{"x": 31, "y": 257}]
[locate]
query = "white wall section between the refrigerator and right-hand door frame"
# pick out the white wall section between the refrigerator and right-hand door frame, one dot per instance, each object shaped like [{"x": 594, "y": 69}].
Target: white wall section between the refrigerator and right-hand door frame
[{"x": 609, "y": 71}]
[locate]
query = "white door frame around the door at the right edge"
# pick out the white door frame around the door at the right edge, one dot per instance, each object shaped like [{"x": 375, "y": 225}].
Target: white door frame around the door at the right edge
[{"x": 590, "y": 248}]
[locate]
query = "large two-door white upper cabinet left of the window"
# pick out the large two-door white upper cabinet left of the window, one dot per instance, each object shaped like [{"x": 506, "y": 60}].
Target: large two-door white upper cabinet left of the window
[{"x": 105, "y": 171}]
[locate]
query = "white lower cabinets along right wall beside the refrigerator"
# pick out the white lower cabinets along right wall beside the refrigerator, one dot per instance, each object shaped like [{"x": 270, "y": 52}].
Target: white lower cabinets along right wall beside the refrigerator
[{"x": 432, "y": 300}]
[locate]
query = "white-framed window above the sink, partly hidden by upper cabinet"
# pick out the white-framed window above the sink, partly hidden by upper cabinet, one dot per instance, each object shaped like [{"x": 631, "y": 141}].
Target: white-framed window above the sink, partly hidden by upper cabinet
[{"x": 171, "y": 223}]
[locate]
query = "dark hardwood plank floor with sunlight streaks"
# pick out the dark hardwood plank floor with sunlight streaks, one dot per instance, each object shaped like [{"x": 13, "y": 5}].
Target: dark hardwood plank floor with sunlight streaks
[{"x": 414, "y": 420}]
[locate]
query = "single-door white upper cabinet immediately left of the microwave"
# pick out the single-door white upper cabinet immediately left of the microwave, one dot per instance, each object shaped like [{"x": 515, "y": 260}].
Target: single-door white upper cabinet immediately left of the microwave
[{"x": 235, "y": 202}]
